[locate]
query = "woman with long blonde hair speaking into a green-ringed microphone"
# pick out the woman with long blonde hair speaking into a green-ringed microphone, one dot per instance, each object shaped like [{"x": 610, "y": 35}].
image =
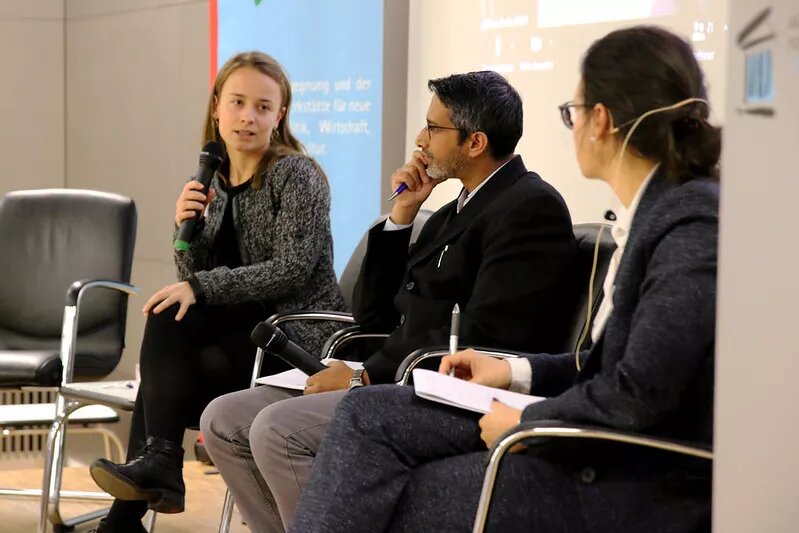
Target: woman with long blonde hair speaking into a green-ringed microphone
[{"x": 263, "y": 245}]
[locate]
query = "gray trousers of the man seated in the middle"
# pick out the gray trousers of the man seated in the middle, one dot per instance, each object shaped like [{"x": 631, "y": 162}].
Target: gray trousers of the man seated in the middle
[{"x": 263, "y": 441}]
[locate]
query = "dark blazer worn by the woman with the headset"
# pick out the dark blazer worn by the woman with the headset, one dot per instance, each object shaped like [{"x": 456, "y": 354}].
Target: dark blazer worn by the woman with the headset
[{"x": 650, "y": 372}]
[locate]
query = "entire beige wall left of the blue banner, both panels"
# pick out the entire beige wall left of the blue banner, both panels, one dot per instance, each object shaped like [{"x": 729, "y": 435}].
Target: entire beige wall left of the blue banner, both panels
[{"x": 108, "y": 95}]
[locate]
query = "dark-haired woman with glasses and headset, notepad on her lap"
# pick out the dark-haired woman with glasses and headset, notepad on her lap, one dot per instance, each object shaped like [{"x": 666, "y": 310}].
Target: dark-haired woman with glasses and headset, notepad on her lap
[{"x": 392, "y": 461}]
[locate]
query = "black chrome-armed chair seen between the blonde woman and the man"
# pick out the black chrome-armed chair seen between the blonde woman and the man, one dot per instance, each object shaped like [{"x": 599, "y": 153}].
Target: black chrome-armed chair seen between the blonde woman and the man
[{"x": 347, "y": 285}]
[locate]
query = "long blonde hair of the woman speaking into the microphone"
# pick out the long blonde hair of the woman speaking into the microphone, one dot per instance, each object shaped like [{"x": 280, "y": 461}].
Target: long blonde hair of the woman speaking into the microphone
[{"x": 282, "y": 142}]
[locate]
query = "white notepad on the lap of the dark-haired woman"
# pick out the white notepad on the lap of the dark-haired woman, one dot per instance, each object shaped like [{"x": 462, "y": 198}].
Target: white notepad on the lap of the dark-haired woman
[{"x": 459, "y": 393}]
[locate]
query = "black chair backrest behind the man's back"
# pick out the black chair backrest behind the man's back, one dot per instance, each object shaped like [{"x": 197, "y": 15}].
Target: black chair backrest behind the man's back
[{"x": 586, "y": 236}]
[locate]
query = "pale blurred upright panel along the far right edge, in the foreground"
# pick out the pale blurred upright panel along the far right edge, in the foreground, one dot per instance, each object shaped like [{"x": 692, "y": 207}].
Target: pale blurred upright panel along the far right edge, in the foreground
[{"x": 756, "y": 482}]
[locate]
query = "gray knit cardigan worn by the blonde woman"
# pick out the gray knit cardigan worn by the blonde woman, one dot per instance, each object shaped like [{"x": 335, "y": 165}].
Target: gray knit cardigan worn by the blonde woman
[{"x": 286, "y": 248}]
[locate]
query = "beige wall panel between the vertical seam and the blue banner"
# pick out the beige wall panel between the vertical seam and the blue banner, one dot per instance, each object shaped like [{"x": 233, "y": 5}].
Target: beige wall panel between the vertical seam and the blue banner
[{"x": 136, "y": 89}]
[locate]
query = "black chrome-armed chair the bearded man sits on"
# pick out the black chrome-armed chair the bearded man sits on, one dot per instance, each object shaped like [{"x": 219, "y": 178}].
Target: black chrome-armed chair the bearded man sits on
[{"x": 577, "y": 337}]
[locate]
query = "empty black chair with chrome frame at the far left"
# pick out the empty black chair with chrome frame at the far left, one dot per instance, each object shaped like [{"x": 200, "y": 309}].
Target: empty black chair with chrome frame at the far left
[{"x": 51, "y": 238}]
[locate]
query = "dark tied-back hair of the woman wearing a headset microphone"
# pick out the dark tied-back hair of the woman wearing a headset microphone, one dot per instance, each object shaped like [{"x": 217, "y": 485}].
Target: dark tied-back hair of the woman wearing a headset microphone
[{"x": 639, "y": 69}]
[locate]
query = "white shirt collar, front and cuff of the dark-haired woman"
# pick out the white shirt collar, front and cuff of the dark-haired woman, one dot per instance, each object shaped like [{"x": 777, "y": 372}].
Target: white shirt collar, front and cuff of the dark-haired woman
[{"x": 521, "y": 370}]
